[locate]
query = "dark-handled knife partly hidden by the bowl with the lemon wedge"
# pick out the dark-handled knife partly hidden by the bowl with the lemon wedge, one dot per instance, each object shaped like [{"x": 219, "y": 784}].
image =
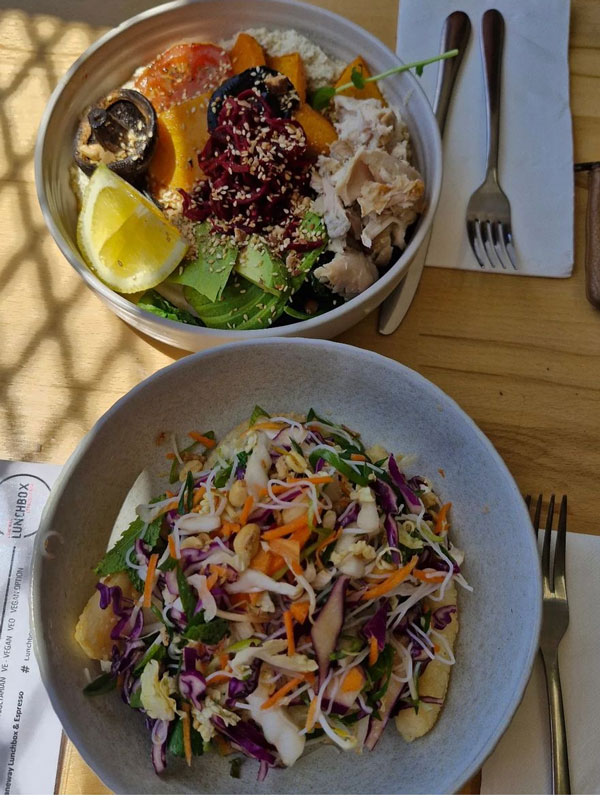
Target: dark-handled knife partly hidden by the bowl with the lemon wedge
[{"x": 455, "y": 34}]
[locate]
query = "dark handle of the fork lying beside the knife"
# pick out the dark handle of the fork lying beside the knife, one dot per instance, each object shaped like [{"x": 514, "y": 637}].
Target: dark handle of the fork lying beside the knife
[{"x": 492, "y": 43}]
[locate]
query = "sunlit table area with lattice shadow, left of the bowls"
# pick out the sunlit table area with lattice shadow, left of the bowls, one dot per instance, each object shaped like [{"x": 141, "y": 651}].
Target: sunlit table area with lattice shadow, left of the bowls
[{"x": 45, "y": 309}]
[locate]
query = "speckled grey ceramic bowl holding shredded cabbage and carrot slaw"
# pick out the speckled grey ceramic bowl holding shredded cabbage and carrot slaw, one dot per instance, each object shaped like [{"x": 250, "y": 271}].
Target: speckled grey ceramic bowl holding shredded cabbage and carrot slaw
[{"x": 388, "y": 403}]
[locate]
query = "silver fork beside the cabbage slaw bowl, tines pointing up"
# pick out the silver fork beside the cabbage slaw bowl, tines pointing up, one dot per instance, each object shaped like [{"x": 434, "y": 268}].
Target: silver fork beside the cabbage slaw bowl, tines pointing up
[{"x": 555, "y": 622}]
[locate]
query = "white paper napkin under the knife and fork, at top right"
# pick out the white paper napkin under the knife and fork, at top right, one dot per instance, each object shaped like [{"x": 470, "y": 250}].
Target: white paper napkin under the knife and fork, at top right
[{"x": 536, "y": 149}]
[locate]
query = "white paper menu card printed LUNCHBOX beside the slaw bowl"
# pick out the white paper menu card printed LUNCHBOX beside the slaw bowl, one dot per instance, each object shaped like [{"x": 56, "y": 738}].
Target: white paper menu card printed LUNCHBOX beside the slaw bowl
[{"x": 30, "y": 732}]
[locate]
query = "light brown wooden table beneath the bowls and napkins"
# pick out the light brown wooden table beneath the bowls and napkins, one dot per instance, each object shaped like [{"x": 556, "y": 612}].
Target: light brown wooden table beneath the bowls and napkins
[{"x": 520, "y": 355}]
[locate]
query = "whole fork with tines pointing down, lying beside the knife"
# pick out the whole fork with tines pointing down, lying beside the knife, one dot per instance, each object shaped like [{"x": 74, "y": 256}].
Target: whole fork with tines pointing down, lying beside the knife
[{"x": 488, "y": 213}]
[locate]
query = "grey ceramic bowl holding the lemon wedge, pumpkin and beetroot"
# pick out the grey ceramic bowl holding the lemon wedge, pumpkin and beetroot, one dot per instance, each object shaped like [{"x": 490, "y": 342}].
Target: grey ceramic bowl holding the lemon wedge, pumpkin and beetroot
[{"x": 110, "y": 61}]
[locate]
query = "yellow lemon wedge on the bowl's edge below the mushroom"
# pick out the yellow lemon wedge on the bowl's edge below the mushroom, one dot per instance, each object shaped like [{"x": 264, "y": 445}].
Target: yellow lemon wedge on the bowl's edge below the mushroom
[{"x": 124, "y": 237}]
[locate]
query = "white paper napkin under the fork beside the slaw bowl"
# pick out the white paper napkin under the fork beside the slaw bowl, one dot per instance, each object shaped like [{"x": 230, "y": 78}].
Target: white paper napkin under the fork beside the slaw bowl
[{"x": 520, "y": 764}]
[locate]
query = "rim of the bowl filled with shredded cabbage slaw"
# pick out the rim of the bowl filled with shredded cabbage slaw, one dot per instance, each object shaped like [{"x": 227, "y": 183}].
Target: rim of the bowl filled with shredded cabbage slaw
[{"x": 345, "y": 351}]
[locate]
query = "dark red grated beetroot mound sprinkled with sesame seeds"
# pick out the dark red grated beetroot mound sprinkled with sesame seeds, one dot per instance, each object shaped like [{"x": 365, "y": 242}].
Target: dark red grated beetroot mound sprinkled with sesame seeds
[{"x": 256, "y": 166}]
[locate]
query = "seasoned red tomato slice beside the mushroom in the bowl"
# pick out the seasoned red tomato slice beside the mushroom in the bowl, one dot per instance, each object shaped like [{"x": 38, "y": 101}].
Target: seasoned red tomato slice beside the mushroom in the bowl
[{"x": 183, "y": 71}]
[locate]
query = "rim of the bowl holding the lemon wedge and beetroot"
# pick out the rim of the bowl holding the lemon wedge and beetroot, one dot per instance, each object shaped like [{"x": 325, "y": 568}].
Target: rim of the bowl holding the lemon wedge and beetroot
[{"x": 126, "y": 307}]
